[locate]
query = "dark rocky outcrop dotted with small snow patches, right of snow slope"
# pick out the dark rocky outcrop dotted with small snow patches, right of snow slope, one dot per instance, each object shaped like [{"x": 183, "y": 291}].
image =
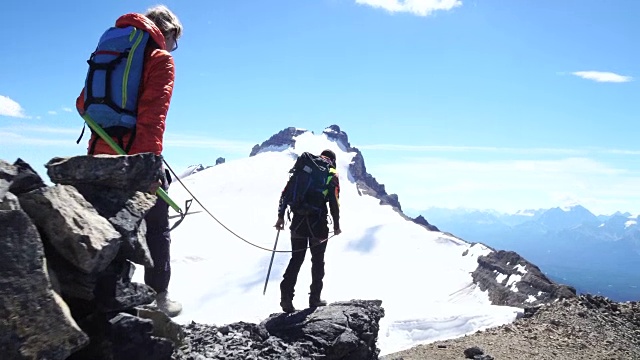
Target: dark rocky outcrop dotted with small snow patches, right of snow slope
[{"x": 513, "y": 281}]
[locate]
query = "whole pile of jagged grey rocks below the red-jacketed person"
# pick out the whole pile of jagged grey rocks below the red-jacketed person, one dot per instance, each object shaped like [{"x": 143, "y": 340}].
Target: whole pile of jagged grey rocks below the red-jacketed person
[{"x": 66, "y": 260}]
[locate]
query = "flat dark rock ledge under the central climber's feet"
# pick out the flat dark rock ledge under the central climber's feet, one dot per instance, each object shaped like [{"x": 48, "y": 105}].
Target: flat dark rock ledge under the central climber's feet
[{"x": 341, "y": 330}]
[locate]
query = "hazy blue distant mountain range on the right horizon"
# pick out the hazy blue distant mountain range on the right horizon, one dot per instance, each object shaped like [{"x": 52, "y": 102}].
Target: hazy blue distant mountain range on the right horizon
[{"x": 598, "y": 254}]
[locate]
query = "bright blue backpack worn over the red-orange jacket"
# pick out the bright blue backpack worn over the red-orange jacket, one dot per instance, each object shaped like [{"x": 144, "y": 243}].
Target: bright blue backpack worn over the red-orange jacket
[{"x": 113, "y": 81}]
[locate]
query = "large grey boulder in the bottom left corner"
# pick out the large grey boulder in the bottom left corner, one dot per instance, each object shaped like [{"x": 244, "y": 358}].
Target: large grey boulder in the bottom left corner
[{"x": 35, "y": 322}]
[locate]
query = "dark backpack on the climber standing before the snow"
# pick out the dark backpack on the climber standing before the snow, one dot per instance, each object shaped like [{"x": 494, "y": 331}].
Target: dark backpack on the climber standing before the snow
[{"x": 305, "y": 191}]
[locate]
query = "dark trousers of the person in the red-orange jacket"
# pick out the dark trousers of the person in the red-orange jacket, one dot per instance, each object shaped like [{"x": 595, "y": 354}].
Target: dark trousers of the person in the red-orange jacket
[{"x": 158, "y": 241}]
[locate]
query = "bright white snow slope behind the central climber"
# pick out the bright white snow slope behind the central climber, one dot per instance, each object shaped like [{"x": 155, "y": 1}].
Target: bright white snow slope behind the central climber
[{"x": 422, "y": 277}]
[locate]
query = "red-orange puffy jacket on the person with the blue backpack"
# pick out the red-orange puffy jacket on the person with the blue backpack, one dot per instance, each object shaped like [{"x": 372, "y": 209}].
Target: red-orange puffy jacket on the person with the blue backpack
[{"x": 154, "y": 95}]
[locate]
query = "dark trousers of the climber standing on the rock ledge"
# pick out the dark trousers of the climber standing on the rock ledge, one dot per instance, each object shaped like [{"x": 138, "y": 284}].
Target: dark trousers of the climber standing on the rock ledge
[{"x": 304, "y": 233}]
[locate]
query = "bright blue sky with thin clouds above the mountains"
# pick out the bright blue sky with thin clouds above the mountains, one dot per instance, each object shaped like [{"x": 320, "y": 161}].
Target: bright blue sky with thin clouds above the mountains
[{"x": 483, "y": 104}]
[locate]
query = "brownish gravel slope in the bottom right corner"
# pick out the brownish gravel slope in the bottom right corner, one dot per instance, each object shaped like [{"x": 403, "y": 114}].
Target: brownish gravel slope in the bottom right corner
[{"x": 585, "y": 327}]
